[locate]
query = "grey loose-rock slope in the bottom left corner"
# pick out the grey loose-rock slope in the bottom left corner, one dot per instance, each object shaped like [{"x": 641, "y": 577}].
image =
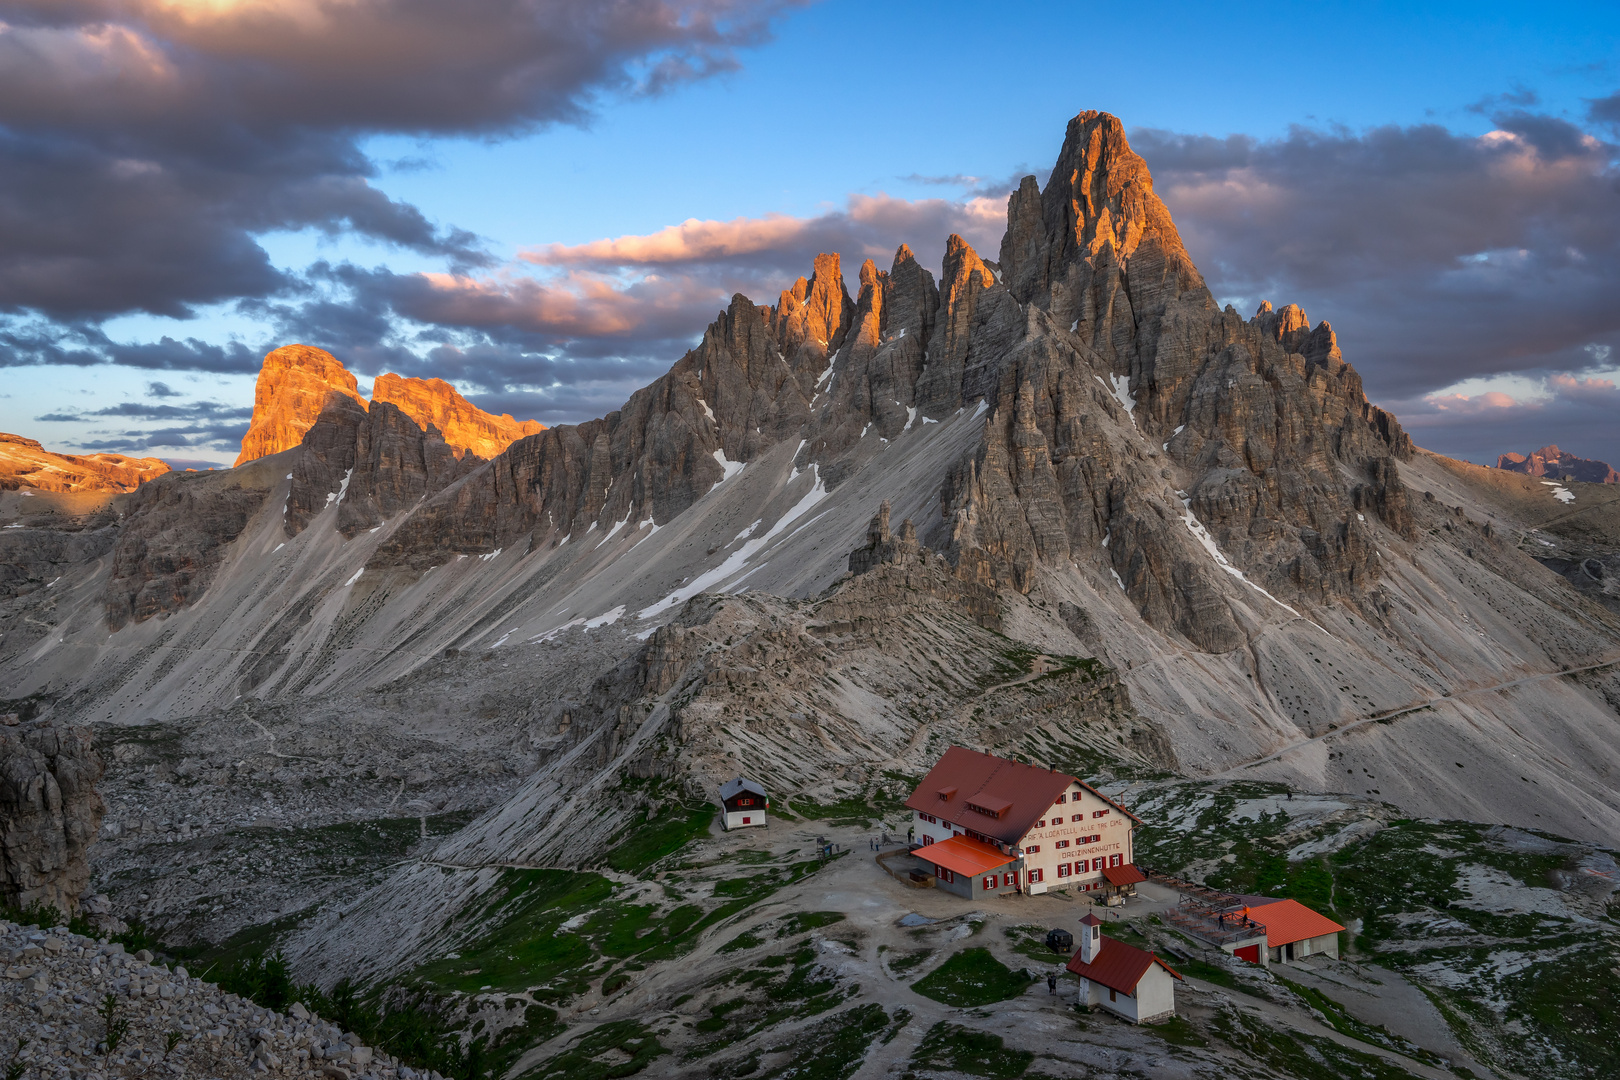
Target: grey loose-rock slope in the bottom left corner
[{"x": 53, "y": 987}]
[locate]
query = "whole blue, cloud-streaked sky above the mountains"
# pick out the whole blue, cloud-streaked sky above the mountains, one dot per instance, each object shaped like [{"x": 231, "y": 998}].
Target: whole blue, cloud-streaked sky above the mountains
[{"x": 1483, "y": 342}]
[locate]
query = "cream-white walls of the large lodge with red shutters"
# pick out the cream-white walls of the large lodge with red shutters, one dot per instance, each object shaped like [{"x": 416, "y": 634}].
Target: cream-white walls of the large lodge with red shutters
[{"x": 1067, "y": 849}]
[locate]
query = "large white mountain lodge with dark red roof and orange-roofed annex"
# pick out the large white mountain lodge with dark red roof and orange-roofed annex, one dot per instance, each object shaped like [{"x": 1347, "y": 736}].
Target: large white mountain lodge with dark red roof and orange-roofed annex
[{"x": 994, "y": 827}]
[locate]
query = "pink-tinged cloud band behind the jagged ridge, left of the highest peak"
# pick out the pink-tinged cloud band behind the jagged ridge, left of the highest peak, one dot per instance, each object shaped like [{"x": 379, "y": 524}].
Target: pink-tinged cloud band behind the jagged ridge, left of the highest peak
[{"x": 571, "y": 331}]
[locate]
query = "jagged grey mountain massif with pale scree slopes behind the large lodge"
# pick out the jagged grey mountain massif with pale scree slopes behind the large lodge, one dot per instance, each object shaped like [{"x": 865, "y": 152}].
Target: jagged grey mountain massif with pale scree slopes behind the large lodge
[{"x": 1099, "y": 466}]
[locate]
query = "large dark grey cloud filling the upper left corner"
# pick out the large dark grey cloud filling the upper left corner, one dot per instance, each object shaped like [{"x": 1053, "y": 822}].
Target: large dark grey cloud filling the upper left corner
[{"x": 148, "y": 143}]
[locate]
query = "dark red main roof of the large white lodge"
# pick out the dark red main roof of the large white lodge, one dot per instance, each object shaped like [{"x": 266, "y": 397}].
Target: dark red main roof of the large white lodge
[{"x": 992, "y": 796}]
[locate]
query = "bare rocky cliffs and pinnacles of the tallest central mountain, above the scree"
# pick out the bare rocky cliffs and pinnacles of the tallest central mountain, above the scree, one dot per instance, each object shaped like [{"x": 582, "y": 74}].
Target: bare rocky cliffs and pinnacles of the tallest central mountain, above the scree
[{"x": 1198, "y": 457}]
